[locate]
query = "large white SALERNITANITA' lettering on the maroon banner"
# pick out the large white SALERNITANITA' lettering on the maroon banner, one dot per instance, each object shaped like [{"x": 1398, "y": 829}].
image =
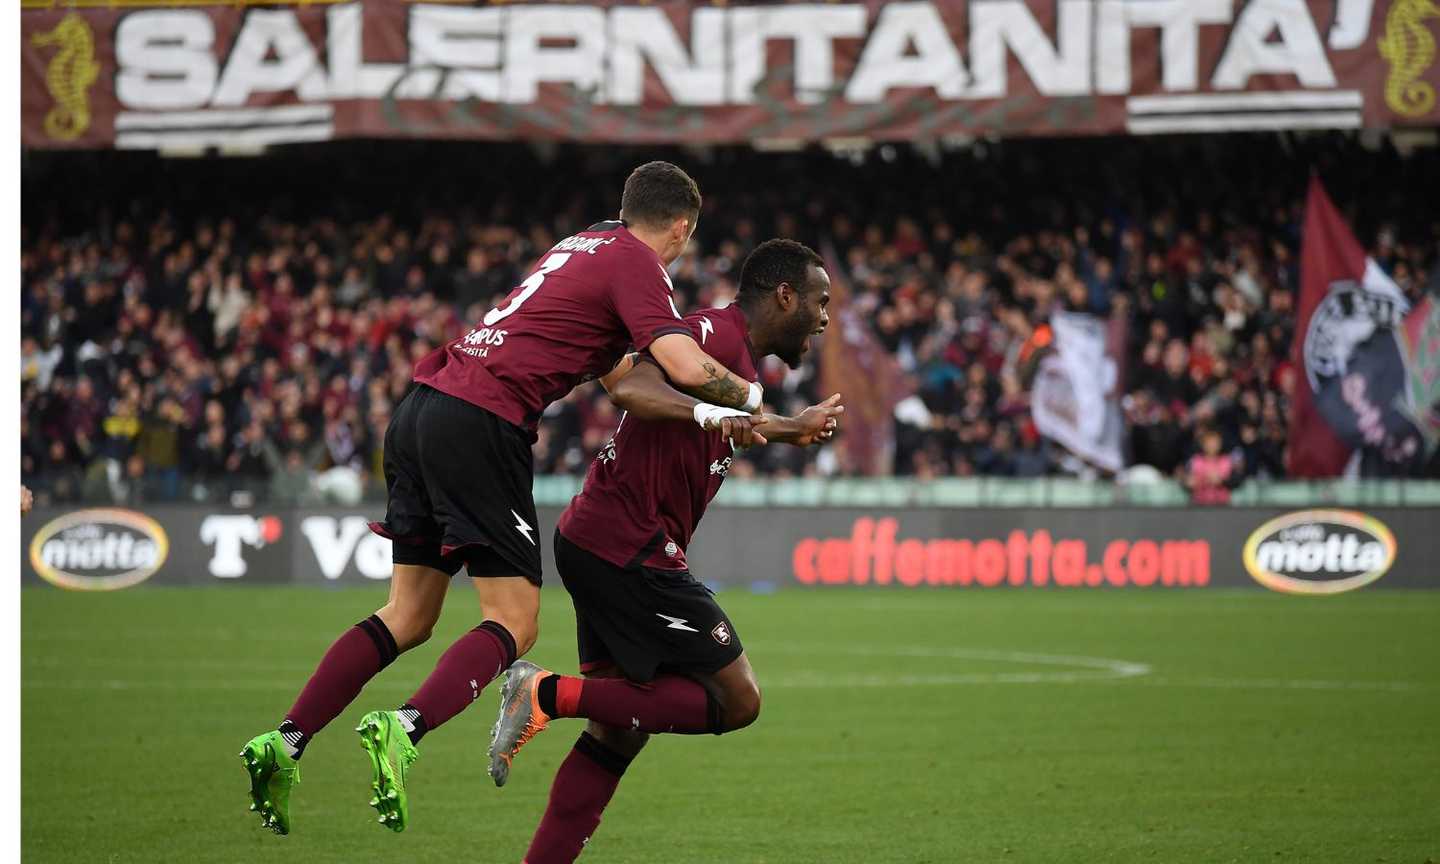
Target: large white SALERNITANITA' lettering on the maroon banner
[{"x": 168, "y": 58}]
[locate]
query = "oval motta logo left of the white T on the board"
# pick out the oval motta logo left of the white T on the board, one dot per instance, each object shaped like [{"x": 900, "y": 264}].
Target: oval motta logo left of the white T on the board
[{"x": 103, "y": 549}]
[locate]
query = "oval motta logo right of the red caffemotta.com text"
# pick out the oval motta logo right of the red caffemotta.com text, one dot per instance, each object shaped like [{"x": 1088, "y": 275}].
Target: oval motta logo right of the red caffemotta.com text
[{"x": 1320, "y": 552}]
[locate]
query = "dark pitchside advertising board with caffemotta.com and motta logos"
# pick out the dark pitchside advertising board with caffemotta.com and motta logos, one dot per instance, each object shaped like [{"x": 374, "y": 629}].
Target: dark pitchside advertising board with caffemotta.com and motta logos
[{"x": 1315, "y": 552}]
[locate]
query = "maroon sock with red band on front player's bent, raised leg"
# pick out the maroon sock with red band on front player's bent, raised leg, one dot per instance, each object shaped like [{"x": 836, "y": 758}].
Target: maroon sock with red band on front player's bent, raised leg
[{"x": 669, "y": 703}]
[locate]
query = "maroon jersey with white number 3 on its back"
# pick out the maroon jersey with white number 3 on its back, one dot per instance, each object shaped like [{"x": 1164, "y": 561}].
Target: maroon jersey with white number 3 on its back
[{"x": 571, "y": 320}]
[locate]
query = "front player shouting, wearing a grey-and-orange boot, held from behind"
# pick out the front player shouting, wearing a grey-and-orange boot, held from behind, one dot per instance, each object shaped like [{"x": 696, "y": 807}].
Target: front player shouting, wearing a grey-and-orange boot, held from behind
[{"x": 657, "y": 652}]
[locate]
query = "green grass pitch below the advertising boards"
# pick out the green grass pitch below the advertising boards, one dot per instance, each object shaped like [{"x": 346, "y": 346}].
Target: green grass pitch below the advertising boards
[{"x": 898, "y": 726}]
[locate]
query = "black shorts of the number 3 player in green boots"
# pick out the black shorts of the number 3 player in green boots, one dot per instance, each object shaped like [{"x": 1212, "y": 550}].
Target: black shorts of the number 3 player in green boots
[{"x": 460, "y": 489}]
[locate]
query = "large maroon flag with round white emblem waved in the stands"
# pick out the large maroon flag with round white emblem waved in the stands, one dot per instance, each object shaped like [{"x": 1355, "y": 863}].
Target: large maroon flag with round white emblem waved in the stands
[{"x": 1346, "y": 346}]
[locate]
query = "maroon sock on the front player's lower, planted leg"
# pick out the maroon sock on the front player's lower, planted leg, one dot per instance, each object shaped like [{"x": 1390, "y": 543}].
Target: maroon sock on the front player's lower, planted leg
[{"x": 578, "y": 797}]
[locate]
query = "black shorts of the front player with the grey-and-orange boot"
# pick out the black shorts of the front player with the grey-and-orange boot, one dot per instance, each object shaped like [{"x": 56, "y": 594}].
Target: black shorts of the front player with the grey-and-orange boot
[{"x": 644, "y": 621}]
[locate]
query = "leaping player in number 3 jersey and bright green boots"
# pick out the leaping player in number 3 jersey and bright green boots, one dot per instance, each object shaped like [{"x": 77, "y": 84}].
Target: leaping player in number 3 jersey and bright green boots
[{"x": 459, "y": 472}]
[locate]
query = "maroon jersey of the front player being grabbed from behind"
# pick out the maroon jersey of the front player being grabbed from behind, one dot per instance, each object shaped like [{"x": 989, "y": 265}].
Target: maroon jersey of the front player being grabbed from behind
[{"x": 650, "y": 486}]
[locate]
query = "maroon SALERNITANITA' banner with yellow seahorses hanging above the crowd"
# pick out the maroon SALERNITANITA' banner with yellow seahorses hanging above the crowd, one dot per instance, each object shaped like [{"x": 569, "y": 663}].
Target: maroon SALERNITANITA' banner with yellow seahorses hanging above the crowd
[{"x": 161, "y": 76}]
